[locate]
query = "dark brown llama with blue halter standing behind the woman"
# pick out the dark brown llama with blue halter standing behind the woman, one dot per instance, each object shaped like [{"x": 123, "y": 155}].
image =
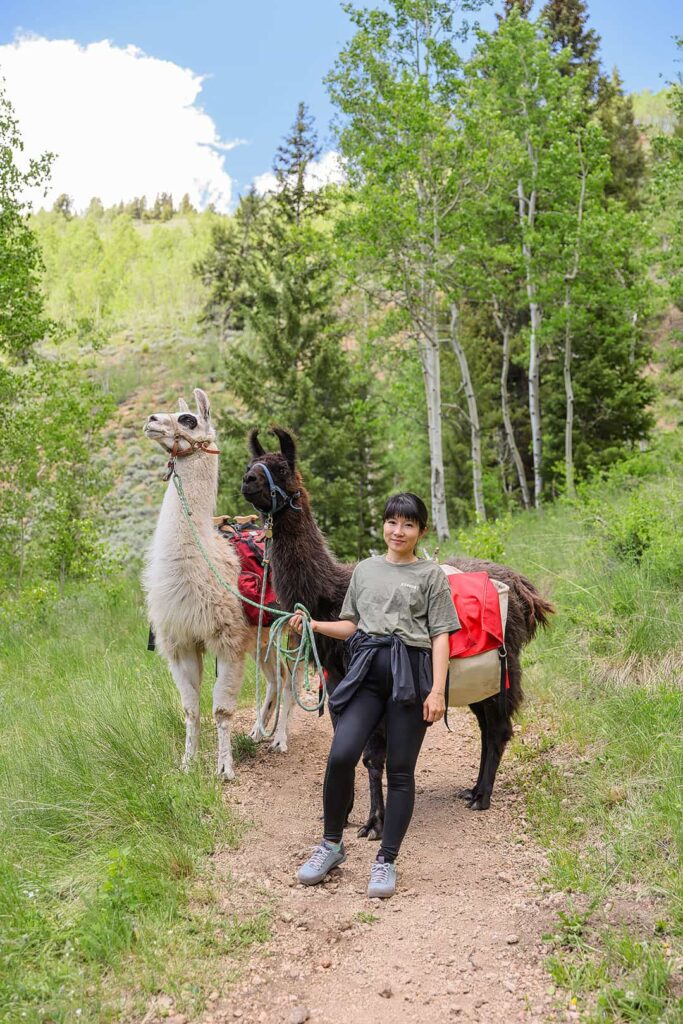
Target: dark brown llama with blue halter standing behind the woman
[{"x": 305, "y": 571}]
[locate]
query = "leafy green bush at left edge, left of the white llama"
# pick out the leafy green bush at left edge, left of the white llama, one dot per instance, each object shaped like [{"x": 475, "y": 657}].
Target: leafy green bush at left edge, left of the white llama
[{"x": 50, "y": 478}]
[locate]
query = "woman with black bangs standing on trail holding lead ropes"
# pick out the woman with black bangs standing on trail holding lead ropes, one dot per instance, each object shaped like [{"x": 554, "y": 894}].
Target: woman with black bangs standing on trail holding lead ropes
[{"x": 396, "y": 620}]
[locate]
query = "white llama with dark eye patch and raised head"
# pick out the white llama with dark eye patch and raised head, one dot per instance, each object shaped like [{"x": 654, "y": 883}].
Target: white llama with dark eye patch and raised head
[{"x": 189, "y": 610}]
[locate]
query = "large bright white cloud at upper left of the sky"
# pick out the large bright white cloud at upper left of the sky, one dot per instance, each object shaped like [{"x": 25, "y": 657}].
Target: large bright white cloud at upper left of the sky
[{"x": 122, "y": 123}]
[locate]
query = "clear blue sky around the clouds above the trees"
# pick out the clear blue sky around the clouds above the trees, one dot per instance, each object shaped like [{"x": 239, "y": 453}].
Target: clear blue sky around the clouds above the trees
[{"x": 261, "y": 59}]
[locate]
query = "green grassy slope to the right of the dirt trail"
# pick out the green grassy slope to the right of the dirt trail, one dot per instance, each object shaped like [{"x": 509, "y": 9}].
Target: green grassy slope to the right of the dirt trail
[{"x": 601, "y": 748}]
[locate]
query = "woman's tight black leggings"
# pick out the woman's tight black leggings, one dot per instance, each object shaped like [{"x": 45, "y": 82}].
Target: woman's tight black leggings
[{"x": 406, "y": 731}]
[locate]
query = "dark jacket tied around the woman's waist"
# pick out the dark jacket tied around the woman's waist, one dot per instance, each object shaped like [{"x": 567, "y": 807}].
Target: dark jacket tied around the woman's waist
[{"x": 412, "y": 676}]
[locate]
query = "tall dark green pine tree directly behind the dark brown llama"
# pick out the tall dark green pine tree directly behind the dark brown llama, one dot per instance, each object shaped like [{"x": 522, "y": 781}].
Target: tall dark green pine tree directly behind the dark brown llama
[{"x": 273, "y": 273}]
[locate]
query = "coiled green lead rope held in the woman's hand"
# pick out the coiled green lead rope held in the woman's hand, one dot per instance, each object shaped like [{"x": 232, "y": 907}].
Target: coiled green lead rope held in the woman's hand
[{"x": 290, "y": 658}]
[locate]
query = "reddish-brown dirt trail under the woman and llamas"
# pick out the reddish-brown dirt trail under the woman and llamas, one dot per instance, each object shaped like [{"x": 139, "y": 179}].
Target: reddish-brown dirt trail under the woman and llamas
[{"x": 461, "y": 941}]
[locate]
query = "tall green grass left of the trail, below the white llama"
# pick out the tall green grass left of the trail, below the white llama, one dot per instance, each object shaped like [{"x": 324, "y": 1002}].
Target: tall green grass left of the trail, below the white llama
[{"x": 106, "y": 880}]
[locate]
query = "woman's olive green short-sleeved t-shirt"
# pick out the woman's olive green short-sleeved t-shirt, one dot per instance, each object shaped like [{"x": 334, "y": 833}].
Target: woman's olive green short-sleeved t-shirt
[{"x": 411, "y": 600}]
